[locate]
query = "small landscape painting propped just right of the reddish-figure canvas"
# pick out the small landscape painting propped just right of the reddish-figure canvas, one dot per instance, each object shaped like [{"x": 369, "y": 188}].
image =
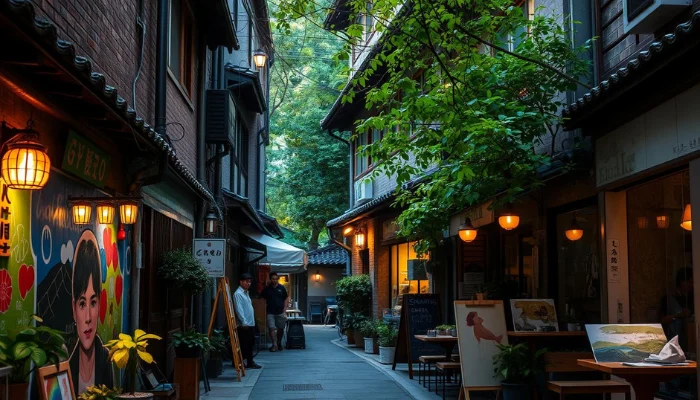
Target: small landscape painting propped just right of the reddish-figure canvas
[{"x": 531, "y": 315}]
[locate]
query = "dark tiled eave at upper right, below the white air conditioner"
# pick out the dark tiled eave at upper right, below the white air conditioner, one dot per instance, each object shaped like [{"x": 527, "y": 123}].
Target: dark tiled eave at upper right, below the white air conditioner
[{"x": 654, "y": 54}]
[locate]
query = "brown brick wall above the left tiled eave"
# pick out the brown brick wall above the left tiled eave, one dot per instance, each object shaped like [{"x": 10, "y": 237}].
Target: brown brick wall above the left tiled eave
[{"x": 106, "y": 32}]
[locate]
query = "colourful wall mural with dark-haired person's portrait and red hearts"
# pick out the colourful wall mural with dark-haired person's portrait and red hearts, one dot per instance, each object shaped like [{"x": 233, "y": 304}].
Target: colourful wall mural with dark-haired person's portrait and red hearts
[{"x": 75, "y": 277}]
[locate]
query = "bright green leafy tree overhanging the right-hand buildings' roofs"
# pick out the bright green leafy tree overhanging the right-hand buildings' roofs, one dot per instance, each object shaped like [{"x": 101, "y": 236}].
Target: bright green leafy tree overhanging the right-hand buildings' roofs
[{"x": 469, "y": 90}]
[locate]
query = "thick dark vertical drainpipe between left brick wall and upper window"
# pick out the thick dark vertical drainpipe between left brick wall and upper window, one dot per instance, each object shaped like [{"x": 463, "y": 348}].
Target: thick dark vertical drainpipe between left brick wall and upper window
[{"x": 161, "y": 66}]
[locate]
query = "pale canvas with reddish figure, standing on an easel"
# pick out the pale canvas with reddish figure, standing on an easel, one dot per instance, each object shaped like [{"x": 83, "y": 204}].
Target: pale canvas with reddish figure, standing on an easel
[{"x": 481, "y": 326}]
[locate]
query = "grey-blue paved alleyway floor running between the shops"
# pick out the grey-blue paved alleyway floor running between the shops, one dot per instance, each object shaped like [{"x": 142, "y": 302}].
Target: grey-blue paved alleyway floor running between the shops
[{"x": 331, "y": 372}]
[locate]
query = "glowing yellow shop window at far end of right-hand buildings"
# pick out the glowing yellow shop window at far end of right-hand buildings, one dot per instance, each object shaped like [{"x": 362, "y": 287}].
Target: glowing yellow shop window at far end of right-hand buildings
[{"x": 401, "y": 254}]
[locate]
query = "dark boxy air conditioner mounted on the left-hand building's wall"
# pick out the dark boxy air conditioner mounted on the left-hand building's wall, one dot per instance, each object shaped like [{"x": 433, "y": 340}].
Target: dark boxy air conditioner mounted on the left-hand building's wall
[{"x": 221, "y": 117}]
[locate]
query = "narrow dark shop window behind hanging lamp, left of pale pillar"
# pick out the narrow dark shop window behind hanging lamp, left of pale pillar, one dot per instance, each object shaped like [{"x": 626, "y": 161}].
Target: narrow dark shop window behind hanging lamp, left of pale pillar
[{"x": 578, "y": 266}]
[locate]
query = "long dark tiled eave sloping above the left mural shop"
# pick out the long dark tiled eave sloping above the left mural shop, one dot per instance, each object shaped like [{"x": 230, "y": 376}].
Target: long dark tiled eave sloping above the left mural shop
[{"x": 45, "y": 34}]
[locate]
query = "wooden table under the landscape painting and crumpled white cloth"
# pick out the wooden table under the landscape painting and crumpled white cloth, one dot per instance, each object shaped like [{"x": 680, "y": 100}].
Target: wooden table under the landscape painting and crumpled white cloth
[{"x": 644, "y": 380}]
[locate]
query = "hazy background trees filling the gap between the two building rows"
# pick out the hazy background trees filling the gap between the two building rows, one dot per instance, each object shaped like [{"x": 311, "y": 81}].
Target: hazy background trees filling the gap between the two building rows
[{"x": 308, "y": 170}]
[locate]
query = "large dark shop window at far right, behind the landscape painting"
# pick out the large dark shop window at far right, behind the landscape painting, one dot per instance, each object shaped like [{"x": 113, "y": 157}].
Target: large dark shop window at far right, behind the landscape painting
[{"x": 660, "y": 266}]
